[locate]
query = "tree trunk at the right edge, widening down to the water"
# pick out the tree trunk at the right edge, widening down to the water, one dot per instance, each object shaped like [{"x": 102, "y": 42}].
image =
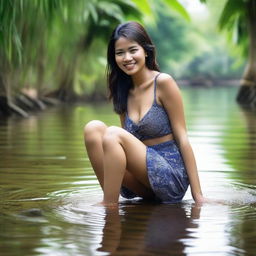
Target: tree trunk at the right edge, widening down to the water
[{"x": 247, "y": 92}]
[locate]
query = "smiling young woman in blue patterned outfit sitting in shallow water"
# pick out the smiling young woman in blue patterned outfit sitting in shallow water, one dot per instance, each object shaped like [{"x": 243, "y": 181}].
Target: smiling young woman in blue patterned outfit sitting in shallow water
[{"x": 150, "y": 156}]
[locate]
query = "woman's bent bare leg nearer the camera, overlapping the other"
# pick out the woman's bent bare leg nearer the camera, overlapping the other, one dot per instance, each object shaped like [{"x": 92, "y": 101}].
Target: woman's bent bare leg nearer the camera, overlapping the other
[{"x": 122, "y": 151}]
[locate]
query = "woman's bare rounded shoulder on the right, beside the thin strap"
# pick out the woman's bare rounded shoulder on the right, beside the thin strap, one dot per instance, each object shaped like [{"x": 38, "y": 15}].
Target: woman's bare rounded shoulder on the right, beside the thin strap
[{"x": 166, "y": 84}]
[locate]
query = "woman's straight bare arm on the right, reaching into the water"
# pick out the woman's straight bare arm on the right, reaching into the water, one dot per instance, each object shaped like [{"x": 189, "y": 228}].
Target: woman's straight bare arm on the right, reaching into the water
[{"x": 170, "y": 97}]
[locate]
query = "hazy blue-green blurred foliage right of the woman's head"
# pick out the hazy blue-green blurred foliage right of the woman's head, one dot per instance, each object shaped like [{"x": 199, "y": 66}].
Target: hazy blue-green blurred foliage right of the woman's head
[{"x": 191, "y": 49}]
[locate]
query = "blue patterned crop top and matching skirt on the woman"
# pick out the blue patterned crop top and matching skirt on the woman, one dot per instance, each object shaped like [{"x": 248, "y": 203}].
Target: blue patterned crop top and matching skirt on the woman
[{"x": 166, "y": 171}]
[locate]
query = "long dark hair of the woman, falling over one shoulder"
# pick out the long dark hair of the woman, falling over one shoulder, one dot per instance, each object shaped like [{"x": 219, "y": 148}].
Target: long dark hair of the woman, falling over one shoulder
[{"x": 120, "y": 83}]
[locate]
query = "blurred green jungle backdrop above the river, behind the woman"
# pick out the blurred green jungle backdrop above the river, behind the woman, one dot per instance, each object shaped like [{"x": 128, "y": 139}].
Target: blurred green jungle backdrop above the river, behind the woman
[{"x": 57, "y": 48}]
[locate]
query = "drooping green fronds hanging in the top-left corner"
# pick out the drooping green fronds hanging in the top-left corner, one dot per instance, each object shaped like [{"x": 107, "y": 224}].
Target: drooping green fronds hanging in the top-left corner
[{"x": 20, "y": 23}]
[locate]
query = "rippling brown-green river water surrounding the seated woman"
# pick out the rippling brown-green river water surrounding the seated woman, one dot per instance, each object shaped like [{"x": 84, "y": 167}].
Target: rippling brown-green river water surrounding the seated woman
[{"x": 48, "y": 188}]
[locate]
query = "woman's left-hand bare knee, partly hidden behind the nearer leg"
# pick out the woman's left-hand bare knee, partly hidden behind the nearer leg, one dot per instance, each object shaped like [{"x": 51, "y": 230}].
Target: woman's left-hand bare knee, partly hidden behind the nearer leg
[{"x": 94, "y": 128}]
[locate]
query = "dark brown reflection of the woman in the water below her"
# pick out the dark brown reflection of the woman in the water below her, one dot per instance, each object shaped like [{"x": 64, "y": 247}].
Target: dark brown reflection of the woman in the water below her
[{"x": 149, "y": 229}]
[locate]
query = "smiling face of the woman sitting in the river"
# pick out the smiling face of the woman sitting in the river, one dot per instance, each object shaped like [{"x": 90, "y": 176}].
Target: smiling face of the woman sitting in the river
[{"x": 130, "y": 56}]
